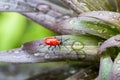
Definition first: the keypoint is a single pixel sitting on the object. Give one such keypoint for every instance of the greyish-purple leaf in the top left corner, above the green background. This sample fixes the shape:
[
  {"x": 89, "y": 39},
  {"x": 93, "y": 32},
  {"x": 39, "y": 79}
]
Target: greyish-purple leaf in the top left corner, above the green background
[{"x": 16, "y": 5}]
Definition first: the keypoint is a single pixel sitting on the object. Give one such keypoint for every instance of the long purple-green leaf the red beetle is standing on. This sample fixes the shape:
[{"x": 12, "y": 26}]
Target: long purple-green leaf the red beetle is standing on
[{"x": 82, "y": 47}]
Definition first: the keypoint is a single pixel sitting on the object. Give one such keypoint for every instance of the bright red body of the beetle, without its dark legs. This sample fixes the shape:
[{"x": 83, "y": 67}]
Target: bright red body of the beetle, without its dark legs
[{"x": 52, "y": 41}]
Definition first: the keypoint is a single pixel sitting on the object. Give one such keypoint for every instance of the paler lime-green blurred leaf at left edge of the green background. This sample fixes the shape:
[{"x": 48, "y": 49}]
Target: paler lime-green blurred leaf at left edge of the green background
[{"x": 12, "y": 29}]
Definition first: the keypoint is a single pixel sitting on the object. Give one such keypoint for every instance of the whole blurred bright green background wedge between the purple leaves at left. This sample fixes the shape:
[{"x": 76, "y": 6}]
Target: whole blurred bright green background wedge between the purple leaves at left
[{"x": 16, "y": 29}]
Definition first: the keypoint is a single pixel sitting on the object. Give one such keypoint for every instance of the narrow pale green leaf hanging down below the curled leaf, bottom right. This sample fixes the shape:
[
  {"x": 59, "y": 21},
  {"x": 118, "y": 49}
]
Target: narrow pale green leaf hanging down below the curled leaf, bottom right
[{"x": 106, "y": 64}]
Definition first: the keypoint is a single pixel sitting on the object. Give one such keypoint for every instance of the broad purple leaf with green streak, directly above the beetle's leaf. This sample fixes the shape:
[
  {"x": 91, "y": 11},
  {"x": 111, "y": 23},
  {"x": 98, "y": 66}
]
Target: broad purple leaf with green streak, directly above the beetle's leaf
[{"x": 89, "y": 25}]
